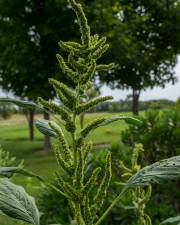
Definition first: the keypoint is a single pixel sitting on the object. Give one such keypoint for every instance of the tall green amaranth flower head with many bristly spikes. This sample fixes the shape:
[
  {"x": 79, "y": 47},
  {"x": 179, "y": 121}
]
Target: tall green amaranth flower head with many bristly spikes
[{"x": 80, "y": 66}]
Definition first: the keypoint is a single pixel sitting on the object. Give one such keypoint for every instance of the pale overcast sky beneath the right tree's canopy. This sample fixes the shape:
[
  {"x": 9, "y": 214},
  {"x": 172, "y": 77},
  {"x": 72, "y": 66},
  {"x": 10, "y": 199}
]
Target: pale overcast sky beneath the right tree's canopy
[{"x": 171, "y": 92}]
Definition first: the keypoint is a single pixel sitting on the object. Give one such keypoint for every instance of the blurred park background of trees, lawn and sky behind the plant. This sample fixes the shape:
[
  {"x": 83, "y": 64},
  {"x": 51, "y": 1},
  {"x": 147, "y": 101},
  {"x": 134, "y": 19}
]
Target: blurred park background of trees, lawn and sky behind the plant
[{"x": 144, "y": 38}]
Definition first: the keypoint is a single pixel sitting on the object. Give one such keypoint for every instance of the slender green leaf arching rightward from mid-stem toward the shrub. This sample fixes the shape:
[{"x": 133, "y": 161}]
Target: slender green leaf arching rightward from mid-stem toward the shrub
[{"x": 127, "y": 119}]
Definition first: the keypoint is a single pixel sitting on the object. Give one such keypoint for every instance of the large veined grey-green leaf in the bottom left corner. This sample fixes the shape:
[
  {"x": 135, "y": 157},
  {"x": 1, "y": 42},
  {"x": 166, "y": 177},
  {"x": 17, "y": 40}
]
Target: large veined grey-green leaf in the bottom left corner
[{"x": 16, "y": 203}]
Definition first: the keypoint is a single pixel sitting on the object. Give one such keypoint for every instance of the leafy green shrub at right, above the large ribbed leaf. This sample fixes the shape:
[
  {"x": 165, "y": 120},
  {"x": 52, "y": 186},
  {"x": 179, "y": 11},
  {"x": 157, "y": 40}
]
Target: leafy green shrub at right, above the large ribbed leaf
[{"x": 159, "y": 133}]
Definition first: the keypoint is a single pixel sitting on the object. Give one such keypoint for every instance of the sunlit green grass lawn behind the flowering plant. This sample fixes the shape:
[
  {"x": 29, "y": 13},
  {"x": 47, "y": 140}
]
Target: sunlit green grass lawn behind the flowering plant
[{"x": 14, "y": 138}]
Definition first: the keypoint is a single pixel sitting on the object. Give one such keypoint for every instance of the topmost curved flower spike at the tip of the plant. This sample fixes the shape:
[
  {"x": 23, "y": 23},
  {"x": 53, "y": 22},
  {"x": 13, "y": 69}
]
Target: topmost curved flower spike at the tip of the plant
[{"x": 84, "y": 27}]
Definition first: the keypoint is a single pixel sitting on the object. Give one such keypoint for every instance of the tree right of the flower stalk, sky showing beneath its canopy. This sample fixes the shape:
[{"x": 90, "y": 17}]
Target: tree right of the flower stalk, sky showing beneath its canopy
[{"x": 145, "y": 41}]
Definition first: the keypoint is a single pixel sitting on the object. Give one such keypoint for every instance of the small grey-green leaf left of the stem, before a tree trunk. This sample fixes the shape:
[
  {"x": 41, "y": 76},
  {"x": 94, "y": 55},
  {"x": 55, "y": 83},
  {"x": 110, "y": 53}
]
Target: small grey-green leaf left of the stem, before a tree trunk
[{"x": 43, "y": 127}]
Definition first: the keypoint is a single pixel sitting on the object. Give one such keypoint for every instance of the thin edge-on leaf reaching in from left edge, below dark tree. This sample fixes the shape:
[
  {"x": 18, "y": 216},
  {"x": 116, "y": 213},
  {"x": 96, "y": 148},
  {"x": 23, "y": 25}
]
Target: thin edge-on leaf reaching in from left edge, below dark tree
[{"x": 20, "y": 103}]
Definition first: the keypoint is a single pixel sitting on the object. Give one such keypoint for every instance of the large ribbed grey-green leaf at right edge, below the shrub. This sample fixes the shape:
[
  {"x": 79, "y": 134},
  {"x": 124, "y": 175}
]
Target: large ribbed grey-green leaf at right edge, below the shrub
[{"x": 167, "y": 169}]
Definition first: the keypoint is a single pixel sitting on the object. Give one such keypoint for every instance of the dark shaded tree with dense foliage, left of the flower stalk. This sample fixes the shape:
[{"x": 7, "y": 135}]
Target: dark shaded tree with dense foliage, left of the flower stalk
[{"x": 29, "y": 32}]
